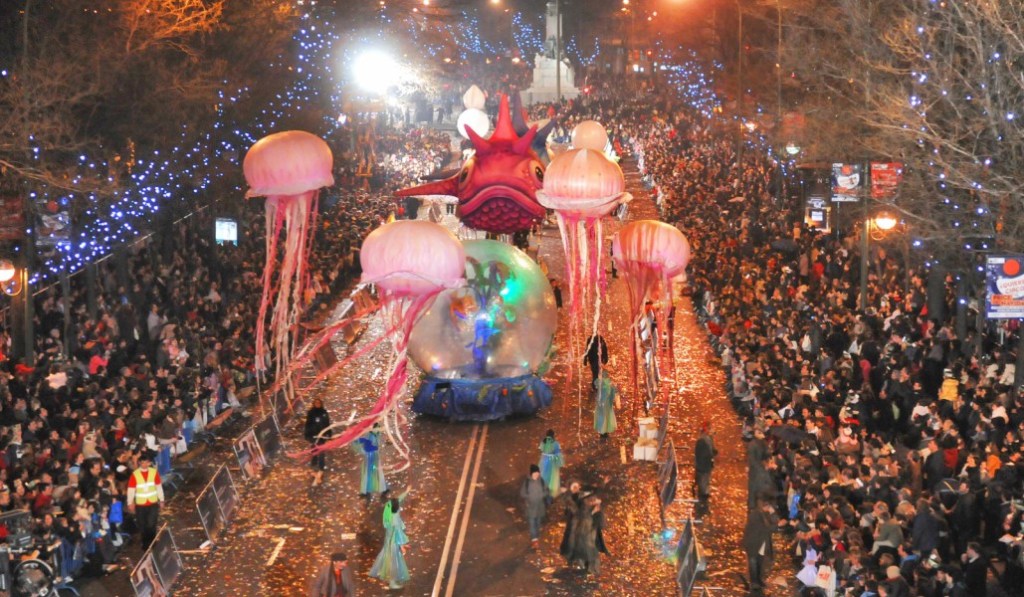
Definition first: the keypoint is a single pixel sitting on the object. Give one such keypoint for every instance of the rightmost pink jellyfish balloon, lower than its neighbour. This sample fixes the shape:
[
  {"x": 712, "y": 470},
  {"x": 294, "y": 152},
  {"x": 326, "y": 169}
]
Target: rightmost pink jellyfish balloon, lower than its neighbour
[{"x": 650, "y": 253}]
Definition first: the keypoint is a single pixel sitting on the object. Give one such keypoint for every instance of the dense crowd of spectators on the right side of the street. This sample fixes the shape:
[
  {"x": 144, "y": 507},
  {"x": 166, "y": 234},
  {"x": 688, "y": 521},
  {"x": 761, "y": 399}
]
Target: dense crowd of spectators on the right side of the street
[{"x": 886, "y": 452}]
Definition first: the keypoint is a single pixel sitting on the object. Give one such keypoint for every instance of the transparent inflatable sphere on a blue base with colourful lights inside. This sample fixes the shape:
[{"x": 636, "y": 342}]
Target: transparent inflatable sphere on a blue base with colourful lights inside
[{"x": 481, "y": 346}]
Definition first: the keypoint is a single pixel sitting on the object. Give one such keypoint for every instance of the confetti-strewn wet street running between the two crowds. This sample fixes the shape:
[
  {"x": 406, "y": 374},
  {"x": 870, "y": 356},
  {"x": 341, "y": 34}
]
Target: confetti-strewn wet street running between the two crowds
[{"x": 464, "y": 519}]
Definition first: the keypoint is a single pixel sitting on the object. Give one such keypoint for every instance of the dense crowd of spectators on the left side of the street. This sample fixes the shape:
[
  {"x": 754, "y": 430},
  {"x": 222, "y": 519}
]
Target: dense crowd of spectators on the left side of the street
[{"x": 167, "y": 346}]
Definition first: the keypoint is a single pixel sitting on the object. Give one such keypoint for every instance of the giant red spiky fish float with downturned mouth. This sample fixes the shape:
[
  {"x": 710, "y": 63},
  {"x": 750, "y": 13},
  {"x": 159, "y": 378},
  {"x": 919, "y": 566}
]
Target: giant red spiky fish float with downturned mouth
[{"x": 497, "y": 187}]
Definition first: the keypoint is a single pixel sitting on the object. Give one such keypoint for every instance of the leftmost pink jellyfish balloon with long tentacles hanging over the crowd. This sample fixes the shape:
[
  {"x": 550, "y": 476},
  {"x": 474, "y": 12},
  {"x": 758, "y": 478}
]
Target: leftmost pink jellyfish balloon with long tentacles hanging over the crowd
[{"x": 288, "y": 168}]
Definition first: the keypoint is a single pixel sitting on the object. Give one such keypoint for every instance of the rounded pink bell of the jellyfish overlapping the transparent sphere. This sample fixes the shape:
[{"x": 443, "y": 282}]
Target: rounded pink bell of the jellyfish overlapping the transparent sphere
[{"x": 412, "y": 258}]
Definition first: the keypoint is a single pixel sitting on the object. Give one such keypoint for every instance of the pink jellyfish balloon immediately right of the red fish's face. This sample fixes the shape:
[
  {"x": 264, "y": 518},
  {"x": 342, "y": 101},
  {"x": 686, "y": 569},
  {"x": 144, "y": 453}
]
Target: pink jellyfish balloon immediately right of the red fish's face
[{"x": 583, "y": 187}]
